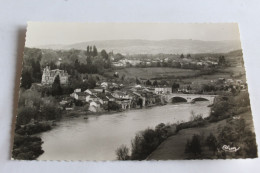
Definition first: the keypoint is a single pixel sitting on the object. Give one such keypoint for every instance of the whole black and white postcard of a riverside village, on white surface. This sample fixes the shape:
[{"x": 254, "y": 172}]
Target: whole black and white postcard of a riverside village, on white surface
[{"x": 133, "y": 91}]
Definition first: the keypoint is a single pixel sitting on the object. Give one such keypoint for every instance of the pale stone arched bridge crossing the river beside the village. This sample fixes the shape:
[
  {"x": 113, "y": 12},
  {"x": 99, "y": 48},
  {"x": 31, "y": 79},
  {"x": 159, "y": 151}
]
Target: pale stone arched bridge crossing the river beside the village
[{"x": 189, "y": 98}]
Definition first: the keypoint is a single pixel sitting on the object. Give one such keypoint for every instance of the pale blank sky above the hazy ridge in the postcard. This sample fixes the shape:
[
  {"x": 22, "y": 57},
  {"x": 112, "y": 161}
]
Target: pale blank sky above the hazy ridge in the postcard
[{"x": 40, "y": 34}]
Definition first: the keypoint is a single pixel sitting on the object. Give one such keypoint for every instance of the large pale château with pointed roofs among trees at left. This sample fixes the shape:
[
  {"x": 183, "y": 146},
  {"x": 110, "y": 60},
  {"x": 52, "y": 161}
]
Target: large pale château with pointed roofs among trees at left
[{"x": 48, "y": 76}]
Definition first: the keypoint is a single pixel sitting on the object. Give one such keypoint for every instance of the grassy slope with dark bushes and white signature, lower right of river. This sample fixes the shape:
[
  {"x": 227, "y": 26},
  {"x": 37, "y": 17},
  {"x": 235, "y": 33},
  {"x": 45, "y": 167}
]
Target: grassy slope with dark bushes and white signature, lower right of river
[{"x": 230, "y": 124}]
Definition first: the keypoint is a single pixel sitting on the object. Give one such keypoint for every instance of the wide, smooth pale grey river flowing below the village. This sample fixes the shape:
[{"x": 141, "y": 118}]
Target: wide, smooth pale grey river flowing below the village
[{"x": 98, "y": 137}]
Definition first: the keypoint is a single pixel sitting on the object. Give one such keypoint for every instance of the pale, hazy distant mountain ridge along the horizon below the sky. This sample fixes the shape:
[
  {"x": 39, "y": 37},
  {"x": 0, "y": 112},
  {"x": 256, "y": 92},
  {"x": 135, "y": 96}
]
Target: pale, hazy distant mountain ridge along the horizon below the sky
[{"x": 172, "y": 46}]
